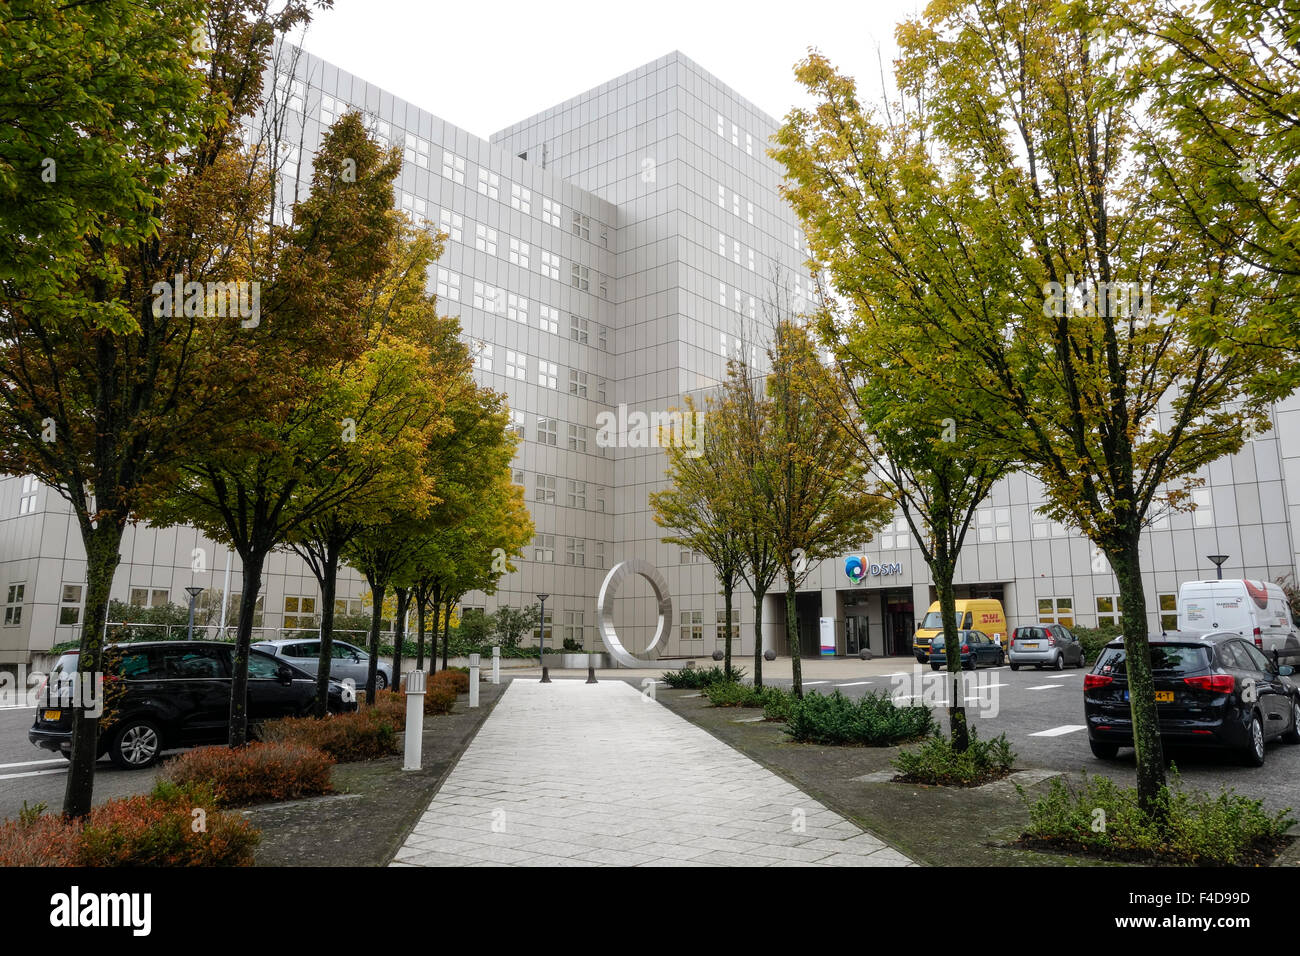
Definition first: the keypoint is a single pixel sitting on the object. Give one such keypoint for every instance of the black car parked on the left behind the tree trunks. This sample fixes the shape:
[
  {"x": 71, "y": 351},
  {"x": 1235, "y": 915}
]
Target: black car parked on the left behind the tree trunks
[{"x": 163, "y": 695}]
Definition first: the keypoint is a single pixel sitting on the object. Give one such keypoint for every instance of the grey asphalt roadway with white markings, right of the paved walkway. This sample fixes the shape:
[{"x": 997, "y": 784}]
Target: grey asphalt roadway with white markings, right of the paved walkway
[{"x": 1042, "y": 715}]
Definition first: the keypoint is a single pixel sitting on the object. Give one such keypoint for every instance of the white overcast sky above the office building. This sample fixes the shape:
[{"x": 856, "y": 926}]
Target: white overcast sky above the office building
[{"x": 486, "y": 66}]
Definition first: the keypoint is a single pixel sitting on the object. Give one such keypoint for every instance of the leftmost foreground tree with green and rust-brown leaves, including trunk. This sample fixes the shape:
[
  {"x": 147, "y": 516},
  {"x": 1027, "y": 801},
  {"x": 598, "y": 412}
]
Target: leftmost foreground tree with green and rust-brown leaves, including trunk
[{"x": 123, "y": 167}]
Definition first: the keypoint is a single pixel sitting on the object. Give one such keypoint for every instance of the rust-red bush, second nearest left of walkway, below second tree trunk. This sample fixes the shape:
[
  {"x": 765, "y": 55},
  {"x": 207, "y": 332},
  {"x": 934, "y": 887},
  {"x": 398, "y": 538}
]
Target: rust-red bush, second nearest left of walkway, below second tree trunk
[{"x": 253, "y": 775}]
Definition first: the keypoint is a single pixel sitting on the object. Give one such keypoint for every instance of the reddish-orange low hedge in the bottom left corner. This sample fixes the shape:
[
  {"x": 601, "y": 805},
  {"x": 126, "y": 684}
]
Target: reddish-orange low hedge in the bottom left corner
[{"x": 163, "y": 829}]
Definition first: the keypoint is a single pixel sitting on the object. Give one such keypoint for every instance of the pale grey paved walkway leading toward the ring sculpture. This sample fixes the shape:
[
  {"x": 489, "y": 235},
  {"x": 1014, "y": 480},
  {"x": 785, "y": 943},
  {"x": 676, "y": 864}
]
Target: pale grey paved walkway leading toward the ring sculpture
[{"x": 575, "y": 775}]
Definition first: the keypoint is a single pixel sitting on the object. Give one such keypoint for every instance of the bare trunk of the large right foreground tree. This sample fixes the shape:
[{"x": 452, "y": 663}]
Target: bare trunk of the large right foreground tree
[{"x": 1142, "y": 689}]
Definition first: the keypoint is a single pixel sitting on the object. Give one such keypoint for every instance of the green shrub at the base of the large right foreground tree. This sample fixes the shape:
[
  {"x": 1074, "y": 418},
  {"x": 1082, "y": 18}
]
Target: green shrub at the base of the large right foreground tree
[{"x": 1191, "y": 829}]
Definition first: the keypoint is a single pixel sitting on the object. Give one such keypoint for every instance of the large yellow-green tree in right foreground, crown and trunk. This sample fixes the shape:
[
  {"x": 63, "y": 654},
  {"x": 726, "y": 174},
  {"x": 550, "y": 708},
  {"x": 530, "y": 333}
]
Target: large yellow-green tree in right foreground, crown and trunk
[{"x": 1008, "y": 215}]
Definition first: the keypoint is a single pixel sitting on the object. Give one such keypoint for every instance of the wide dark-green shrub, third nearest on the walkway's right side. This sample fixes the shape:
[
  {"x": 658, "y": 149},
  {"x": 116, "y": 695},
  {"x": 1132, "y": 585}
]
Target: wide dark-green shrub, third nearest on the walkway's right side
[{"x": 873, "y": 720}]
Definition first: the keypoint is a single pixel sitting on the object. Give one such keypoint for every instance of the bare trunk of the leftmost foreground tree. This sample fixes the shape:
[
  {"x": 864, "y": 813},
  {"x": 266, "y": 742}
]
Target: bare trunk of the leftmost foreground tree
[{"x": 103, "y": 556}]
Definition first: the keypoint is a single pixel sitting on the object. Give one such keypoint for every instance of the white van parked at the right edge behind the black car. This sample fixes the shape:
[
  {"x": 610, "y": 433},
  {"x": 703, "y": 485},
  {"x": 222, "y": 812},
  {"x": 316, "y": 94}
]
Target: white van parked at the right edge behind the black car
[{"x": 1258, "y": 611}]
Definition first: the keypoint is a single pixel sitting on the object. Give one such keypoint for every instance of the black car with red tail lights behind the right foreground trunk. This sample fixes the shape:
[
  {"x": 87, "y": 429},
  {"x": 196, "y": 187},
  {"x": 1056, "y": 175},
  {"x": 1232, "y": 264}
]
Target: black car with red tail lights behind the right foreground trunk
[{"x": 1212, "y": 690}]
